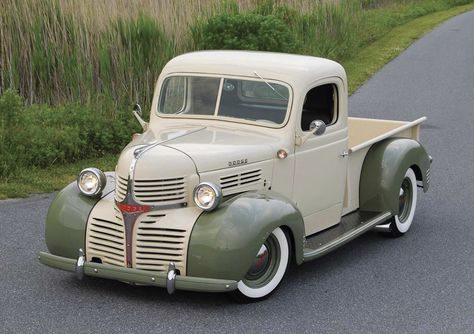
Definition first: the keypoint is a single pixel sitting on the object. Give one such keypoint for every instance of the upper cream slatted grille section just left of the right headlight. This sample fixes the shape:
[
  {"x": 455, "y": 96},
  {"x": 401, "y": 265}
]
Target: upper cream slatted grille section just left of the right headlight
[{"x": 161, "y": 192}]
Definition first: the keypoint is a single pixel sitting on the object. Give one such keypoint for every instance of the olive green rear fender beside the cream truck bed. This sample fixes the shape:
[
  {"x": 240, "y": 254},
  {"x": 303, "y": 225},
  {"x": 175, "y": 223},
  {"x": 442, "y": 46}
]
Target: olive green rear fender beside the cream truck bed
[{"x": 383, "y": 171}]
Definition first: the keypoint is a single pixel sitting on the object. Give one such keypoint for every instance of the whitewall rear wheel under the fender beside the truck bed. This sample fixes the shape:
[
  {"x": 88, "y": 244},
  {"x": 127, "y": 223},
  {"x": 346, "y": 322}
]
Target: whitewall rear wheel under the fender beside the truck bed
[{"x": 401, "y": 223}]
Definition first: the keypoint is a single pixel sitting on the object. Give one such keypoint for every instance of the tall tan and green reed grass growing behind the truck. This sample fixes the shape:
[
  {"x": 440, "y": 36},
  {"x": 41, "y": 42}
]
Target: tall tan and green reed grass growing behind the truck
[{"x": 111, "y": 52}]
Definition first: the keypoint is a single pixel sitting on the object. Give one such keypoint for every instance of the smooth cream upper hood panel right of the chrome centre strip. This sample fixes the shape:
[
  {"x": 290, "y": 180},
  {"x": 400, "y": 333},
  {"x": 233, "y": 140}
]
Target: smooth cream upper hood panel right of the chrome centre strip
[{"x": 214, "y": 148}]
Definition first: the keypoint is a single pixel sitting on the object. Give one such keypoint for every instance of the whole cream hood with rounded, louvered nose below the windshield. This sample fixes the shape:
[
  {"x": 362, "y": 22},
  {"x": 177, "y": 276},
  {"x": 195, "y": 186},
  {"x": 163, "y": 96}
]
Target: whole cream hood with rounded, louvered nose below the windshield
[{"x": 166, "y": 166}]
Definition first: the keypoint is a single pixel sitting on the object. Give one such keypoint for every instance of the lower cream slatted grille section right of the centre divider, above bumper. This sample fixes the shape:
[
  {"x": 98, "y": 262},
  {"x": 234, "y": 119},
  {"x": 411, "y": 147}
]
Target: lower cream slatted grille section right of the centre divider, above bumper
[{"x": 157, "y": 244}]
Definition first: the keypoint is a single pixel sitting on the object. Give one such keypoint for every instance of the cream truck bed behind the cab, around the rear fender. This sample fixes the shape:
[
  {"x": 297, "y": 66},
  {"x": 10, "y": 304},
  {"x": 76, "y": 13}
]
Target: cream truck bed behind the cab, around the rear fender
[{"x": 363, "y": 133}]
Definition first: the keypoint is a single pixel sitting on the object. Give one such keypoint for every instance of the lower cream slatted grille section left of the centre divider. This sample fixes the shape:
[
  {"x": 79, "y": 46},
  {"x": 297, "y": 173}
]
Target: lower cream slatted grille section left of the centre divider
[{"x": 106, "y": 240}]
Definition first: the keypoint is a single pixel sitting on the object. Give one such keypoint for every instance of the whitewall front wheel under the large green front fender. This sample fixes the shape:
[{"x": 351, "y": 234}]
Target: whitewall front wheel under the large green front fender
[{"x": 267, "y": 270}]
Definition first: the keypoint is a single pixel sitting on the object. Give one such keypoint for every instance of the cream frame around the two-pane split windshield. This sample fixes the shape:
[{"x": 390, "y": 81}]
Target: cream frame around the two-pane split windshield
[{"x": 215, "y": 116}]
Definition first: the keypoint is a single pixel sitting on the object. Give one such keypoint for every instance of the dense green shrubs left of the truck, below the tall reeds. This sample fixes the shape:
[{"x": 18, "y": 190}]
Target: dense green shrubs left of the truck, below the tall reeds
[{"x": 42, "y": 136}]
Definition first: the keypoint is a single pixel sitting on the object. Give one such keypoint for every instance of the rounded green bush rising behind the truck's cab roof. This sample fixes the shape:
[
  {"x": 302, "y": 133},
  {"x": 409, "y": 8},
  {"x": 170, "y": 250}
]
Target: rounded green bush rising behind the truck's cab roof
[{"x": 247, "y": 31}]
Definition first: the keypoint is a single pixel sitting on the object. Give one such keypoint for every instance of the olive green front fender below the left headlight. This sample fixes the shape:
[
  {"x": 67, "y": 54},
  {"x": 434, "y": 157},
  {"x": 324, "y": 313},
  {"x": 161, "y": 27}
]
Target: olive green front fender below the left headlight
[{"x": 67, "y": 219}]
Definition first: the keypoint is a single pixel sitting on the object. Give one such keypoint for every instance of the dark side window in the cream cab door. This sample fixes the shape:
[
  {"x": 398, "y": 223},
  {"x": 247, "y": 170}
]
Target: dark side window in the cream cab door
[{"x": 320, "y": 104}]
